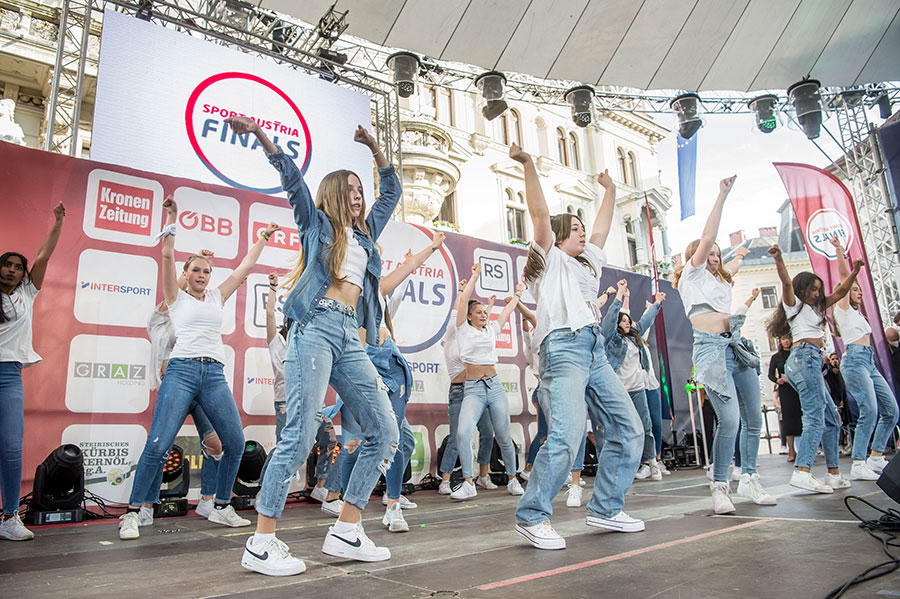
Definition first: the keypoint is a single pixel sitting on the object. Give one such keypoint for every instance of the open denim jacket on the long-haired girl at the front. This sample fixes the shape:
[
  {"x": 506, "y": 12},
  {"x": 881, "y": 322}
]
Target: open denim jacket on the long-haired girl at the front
[{"x": 316, "y": 233}]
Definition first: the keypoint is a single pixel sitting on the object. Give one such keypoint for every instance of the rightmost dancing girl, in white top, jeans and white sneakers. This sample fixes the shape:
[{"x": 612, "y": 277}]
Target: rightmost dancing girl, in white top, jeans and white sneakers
[{"x": 872, "y": 393}]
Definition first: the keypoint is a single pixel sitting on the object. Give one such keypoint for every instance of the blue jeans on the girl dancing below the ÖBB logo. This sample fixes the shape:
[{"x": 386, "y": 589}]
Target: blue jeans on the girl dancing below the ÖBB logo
[{"x": 187, "y": 381}]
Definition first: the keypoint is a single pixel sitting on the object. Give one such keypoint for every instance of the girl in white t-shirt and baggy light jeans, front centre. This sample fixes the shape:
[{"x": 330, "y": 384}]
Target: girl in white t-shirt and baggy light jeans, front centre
[{"x": 563, "y": 272}]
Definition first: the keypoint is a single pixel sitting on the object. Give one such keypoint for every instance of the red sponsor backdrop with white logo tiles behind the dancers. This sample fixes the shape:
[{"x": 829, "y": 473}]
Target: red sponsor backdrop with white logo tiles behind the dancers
[{"x": 92, "y": 387}]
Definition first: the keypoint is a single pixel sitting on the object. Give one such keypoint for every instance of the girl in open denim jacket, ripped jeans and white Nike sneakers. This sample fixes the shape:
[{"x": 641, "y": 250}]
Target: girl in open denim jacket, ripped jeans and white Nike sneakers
[{"x": 334, "y": 292}]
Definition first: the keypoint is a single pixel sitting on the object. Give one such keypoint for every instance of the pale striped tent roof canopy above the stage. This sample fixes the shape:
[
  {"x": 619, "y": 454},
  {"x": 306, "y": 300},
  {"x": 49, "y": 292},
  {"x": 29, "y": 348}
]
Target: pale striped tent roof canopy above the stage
[{"x": 736, "y": 45}]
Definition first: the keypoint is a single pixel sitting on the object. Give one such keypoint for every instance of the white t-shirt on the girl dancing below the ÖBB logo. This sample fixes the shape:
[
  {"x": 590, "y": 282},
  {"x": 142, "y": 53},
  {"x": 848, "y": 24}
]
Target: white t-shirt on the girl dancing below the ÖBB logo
[{"x": 198, "y": 326}]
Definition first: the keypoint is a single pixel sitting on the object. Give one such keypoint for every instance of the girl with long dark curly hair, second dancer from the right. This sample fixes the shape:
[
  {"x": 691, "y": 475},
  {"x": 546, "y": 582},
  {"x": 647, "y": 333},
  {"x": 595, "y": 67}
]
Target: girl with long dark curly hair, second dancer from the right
[{"x": 802, "y": 316}]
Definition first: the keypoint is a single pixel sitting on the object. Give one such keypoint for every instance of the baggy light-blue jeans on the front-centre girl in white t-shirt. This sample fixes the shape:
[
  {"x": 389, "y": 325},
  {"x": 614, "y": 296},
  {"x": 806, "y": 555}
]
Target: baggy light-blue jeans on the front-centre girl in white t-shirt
[{"x": 575, "y": 370}]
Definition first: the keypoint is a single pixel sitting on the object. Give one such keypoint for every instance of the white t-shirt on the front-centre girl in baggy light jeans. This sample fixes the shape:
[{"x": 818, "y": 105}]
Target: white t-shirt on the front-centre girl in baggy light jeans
[{"x": 566, "y": 292}]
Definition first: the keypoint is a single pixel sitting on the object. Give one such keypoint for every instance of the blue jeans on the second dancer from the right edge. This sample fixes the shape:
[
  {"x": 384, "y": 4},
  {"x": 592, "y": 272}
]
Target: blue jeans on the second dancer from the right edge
[{"x": 821, "y": 423}]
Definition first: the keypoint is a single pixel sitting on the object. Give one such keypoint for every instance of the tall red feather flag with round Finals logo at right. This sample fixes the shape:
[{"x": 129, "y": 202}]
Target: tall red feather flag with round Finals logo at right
[{"x": 825, "y": 209}]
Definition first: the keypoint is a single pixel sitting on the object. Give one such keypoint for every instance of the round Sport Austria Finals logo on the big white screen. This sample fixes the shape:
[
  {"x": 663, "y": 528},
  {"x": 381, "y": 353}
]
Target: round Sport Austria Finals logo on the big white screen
[{"x": 224, "y": 152}]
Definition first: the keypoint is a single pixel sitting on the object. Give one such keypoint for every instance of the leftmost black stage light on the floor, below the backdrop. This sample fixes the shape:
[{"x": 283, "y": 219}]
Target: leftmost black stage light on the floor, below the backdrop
[{"x": 59, "y": 487}]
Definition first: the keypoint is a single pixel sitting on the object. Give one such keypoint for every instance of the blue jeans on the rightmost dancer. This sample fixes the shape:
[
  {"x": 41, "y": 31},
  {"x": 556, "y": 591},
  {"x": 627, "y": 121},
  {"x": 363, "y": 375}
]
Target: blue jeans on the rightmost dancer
[{"x": 874, "y": 397}]
